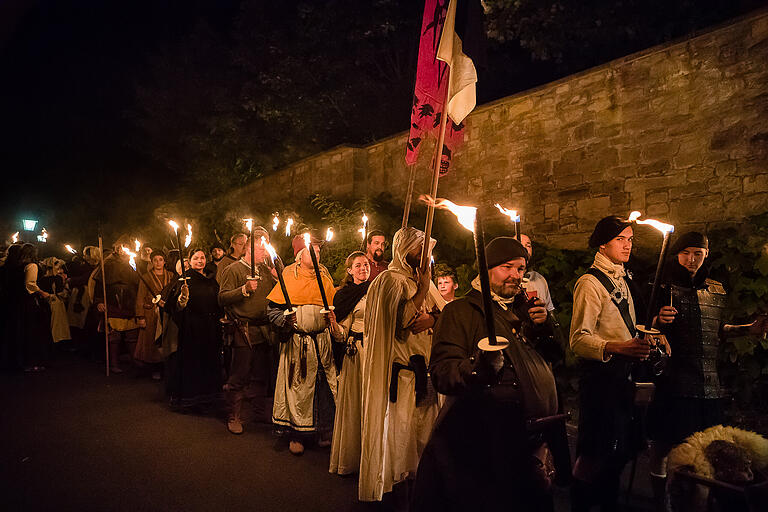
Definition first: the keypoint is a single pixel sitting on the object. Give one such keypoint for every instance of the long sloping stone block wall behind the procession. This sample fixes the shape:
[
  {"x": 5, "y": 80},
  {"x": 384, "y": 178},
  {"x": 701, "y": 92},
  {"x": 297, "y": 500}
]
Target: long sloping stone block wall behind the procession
[{"x": 679, "y": 132}]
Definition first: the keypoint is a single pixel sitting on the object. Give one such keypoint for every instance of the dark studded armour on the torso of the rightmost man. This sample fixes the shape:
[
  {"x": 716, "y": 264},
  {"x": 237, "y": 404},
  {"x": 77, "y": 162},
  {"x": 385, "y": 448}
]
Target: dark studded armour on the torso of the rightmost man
[{"x": 695, "y": 338}]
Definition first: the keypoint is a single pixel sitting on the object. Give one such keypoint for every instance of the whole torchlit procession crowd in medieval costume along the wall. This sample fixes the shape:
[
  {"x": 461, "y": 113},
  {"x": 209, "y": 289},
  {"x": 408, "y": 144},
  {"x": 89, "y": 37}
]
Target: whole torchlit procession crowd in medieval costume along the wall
[{"x": 385, "y": 367}]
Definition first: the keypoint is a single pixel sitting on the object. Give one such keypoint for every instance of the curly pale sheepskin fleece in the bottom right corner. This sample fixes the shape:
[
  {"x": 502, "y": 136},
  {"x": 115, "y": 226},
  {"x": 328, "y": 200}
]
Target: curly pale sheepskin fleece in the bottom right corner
[{"x": 691, "y": 452}]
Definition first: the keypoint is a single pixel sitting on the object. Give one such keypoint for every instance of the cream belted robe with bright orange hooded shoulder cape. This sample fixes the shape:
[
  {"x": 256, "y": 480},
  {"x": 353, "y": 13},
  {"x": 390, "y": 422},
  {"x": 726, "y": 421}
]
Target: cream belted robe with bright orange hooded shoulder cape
[{"x": 305, "y": 390}]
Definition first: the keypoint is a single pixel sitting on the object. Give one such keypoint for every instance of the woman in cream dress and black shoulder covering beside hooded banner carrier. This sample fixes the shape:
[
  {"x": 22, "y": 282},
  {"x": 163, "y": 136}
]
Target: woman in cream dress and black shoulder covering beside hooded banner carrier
[{"x": 349, "y": 303}]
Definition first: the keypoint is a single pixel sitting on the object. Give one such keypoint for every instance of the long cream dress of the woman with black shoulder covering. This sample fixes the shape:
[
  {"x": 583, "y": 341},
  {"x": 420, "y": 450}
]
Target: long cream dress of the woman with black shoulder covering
[{"x": 347, "y": 426}]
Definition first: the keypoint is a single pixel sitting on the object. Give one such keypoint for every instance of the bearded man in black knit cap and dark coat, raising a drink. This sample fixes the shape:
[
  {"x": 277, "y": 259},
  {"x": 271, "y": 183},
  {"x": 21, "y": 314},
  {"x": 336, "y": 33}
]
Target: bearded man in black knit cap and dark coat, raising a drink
[{"x": 481, "y": 455}]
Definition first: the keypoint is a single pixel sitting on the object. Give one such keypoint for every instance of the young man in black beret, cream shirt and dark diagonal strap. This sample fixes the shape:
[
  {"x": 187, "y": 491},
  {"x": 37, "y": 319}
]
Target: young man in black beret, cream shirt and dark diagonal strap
[{"x": 606, "y": 307}]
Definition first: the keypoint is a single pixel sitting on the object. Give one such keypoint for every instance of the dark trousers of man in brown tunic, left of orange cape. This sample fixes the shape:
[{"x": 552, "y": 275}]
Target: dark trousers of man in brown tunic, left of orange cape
[{"x": 249, "y": 376}]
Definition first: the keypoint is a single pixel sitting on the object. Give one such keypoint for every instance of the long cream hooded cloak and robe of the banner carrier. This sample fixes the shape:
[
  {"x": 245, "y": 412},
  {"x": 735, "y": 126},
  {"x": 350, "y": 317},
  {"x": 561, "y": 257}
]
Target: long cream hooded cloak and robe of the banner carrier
[{"x": 394, "y": 432}]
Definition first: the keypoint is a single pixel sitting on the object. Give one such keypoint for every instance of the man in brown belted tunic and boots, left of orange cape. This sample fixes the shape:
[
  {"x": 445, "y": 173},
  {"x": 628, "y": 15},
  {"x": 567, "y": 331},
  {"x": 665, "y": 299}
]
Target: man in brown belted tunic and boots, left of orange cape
[{"x": 244, "y": 298}]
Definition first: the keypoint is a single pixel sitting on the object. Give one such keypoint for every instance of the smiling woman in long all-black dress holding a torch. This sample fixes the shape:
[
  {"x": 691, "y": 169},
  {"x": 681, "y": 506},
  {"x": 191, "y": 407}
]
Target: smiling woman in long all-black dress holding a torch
[{"x": 194, "y": 369}]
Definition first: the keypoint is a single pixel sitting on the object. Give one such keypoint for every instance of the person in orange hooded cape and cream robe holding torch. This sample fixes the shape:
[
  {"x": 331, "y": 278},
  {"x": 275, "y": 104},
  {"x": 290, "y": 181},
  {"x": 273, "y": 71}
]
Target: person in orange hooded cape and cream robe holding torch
[{"x": 305, "y": 391}]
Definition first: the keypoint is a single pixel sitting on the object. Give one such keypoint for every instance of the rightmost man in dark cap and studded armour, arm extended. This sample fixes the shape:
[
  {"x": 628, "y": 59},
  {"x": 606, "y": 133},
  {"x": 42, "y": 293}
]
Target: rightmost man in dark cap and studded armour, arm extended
[{"x": 688, "y": 396}]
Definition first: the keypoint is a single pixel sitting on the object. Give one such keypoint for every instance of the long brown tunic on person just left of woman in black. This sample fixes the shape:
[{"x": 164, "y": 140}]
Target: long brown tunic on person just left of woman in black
[{"x": 146, "y": 349}]
